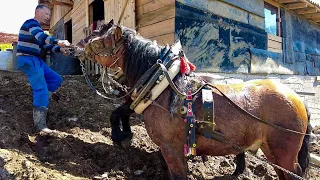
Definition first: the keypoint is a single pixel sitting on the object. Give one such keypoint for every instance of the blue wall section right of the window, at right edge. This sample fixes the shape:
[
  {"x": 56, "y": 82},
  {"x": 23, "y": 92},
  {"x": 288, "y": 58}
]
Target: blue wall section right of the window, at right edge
[{"x": 302, "y": 44}]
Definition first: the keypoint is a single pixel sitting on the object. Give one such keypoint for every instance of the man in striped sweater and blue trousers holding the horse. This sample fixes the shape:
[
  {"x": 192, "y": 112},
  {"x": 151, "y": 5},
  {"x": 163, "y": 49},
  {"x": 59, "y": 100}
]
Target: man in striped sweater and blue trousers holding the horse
[{"x": 43, "y": 80}]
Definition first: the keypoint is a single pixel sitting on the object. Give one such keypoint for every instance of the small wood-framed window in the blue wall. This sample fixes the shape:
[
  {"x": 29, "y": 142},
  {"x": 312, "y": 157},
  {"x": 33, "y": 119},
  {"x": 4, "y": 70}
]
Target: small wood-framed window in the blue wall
[{"x": 272, "y": 19}]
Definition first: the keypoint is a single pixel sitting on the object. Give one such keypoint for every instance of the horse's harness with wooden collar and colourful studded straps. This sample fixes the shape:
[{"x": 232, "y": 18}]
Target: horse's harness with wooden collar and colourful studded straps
[{"x": 158, "y": 78}]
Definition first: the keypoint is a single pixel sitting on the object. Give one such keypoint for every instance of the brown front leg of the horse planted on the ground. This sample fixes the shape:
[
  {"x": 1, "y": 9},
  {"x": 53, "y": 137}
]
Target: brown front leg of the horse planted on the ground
[{"x": 175, "y": 161}]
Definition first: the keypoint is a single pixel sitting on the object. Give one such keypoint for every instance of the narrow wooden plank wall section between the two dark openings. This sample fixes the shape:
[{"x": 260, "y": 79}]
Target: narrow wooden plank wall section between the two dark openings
[{"x": 78, "y": 21}]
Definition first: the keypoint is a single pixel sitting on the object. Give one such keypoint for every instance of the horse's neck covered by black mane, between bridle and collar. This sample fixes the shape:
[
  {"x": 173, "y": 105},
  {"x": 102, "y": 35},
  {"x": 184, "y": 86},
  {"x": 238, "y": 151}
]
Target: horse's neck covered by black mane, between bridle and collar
[{"x": 140, "y": 55}]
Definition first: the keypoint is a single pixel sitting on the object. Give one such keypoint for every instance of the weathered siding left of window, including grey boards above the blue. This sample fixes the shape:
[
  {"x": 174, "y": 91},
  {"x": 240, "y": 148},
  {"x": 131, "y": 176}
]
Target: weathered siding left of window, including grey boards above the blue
[{"x": 217, "y": 36}]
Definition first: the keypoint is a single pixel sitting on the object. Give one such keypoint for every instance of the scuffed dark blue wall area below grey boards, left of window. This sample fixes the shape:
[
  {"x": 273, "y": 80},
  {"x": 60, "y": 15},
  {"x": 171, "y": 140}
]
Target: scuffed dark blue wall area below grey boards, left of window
[{"x": 214, "y": 43}]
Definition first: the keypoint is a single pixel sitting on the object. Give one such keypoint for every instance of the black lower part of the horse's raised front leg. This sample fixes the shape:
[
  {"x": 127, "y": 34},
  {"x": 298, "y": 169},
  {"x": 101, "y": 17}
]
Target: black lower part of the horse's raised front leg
[{"x": 122, "y": 113}]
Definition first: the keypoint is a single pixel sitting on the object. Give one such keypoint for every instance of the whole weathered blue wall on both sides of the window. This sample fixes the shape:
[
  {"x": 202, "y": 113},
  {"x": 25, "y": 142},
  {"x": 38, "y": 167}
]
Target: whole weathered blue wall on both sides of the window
[{"x": 219, "y": 44}]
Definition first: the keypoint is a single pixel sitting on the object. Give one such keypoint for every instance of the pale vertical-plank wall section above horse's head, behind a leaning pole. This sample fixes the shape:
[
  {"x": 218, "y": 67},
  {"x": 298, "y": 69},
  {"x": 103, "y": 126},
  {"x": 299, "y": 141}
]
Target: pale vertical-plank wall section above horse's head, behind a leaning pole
[{"x": 113, "y": 9}]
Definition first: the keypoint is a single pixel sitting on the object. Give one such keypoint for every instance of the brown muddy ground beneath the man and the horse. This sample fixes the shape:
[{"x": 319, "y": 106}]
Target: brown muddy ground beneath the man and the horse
[{"x": 83, "y": 149}]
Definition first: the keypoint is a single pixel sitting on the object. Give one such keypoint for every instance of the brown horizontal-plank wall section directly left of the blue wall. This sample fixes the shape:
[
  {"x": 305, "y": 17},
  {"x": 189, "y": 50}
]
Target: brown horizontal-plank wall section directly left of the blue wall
[{"x": 156, "y": 20}]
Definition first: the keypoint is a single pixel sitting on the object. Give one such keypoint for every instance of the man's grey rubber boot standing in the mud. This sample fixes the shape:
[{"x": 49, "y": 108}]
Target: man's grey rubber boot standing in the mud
[{"x": 40, "y": 118}]
